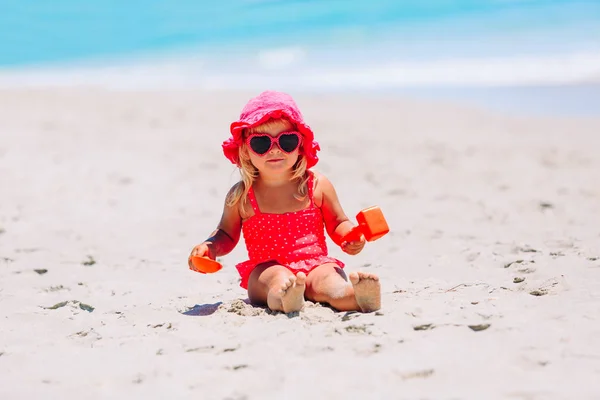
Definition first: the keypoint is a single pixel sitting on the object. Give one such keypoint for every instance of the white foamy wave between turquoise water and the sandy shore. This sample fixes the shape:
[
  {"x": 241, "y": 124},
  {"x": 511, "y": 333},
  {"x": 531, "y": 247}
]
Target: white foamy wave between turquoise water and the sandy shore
[{"x": 295, "y": 68}]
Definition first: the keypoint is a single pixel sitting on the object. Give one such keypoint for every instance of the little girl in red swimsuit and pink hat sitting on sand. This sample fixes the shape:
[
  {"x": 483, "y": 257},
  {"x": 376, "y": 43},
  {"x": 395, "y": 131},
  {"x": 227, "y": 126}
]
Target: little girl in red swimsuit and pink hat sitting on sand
[{"x": 283, "y": 208}]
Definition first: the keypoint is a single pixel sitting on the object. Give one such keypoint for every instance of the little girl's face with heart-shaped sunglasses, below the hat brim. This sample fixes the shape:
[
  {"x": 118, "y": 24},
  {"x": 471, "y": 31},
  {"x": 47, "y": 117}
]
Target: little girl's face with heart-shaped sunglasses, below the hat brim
[{"x": 275, "y": 160}]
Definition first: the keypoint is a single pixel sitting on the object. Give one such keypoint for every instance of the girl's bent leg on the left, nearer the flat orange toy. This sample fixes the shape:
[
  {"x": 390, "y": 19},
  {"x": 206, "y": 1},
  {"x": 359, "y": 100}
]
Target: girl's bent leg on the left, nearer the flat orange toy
[{"x": 277, "y": 287}]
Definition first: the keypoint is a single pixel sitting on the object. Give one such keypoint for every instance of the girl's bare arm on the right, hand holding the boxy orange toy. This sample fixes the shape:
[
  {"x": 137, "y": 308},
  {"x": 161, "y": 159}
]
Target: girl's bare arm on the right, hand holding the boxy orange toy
[{"x": 337, "y": 223}]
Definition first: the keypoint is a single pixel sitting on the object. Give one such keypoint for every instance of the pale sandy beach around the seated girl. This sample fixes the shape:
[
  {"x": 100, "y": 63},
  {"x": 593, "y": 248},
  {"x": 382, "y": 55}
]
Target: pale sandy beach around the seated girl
[{"x": 490, "y": 273}]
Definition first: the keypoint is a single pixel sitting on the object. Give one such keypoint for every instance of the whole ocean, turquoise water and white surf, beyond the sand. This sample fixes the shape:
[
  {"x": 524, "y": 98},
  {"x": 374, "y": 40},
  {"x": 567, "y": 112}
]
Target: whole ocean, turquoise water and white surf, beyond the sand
[{"x": 464, "y": 48}]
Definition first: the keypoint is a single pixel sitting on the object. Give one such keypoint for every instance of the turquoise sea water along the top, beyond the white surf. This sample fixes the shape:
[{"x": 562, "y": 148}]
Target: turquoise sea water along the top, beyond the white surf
[{"x": 64, "y": 30}]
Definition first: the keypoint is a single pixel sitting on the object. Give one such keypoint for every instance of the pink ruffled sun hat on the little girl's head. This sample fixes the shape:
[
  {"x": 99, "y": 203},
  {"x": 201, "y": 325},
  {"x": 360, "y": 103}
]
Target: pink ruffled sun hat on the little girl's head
[{"x": 271, "y": 105}]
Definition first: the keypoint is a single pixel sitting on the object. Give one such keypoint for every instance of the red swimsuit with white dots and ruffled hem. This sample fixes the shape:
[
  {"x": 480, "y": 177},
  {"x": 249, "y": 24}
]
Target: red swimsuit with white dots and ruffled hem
[{"x": 295, "y": 240}]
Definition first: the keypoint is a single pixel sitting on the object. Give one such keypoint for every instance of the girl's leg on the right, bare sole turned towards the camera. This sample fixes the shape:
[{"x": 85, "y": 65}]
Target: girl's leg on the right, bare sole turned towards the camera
[{"x": 328, "y": 284}]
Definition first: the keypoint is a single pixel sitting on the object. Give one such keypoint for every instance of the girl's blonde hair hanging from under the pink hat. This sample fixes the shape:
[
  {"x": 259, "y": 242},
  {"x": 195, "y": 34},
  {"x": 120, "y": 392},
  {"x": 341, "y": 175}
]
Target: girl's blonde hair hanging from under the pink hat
[{"x": 249, "y": 172}]
